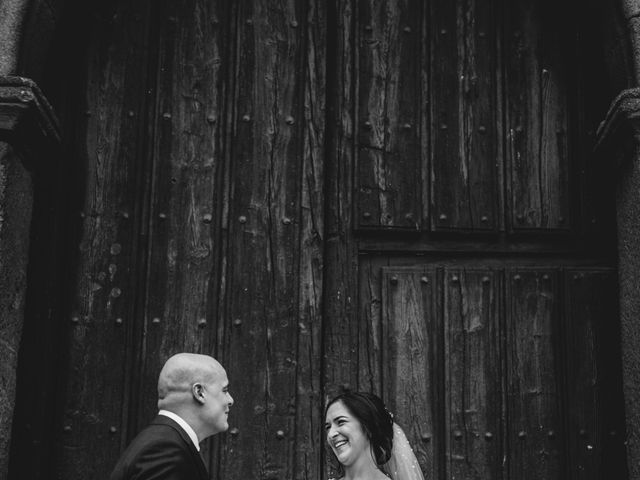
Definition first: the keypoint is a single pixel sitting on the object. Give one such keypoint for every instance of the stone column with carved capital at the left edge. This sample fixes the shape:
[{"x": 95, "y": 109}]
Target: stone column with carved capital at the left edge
[{"x": 29, "y": 135}]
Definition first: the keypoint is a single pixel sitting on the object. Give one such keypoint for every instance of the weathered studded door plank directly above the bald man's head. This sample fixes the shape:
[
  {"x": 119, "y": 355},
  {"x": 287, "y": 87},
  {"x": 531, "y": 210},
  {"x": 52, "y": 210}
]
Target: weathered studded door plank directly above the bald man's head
[{"x": 184, "y": 275}]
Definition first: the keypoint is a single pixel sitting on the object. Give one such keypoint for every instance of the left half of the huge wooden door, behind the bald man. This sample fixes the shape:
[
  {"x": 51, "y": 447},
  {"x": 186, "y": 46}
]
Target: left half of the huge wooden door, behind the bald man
[{"x": 196, "y": 139}]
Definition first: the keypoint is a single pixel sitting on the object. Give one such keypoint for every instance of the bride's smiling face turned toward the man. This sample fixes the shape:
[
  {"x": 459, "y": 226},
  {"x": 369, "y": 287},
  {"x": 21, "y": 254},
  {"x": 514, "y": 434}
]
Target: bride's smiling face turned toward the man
[{"x": 345, "y": 435}]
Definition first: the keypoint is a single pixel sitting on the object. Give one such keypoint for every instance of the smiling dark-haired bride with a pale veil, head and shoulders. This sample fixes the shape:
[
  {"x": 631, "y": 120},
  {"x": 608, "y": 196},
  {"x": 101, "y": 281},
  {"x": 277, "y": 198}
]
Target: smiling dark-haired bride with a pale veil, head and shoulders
[{"x": 365, "y": 442}]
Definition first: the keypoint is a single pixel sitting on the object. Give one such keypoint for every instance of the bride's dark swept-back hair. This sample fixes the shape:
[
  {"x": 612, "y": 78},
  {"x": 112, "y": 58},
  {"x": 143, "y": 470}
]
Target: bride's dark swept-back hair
[{"x": 376, "y": 421}]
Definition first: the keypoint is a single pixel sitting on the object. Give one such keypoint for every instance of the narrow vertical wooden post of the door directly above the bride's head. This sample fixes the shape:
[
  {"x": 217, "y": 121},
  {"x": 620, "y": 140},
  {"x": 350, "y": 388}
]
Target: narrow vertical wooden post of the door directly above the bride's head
[{"x": 340, "y": 365}]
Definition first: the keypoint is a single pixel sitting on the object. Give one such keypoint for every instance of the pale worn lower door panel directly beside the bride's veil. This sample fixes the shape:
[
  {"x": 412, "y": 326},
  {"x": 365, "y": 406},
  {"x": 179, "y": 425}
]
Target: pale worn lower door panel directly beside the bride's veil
[{"x": 411, "y": 345}]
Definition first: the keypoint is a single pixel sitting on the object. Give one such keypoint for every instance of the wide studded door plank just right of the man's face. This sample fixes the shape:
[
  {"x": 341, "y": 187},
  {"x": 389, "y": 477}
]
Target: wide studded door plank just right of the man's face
[{"x": 261, "y": 280}]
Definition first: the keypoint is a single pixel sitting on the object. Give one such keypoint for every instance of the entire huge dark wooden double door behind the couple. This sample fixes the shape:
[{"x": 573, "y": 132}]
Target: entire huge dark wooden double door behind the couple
[{"x": 388, "y": 195}]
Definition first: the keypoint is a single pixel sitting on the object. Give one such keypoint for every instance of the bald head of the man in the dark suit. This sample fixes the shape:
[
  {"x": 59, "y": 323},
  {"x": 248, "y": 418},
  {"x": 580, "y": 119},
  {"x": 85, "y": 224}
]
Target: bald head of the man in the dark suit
[{"x": 196, "y": 388}]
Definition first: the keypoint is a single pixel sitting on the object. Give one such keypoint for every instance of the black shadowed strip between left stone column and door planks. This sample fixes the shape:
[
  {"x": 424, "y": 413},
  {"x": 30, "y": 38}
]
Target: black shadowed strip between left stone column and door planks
[{"x": 53, "y": 55}]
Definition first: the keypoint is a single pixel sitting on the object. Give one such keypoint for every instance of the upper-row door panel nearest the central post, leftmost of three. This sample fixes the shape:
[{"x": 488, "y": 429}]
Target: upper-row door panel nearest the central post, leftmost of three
[{"x": 390, "y": 107}]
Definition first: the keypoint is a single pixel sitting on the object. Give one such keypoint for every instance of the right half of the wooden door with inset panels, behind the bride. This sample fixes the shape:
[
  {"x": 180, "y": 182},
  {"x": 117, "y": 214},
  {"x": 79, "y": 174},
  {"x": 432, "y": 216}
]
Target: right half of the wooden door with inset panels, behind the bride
[{"x": 481, "y": 230}]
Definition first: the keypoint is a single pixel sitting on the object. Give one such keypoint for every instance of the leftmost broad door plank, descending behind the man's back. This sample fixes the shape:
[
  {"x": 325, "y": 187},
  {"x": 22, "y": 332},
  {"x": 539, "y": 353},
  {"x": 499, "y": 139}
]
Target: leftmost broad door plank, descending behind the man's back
[{"x": 102, "y": 321}]
